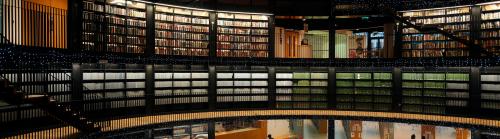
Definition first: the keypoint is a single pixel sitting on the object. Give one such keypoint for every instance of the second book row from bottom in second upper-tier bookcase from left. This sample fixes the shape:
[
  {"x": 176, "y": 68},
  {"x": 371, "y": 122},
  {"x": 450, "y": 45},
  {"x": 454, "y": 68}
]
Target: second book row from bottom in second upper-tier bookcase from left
[{"x": 181, "y": 43}]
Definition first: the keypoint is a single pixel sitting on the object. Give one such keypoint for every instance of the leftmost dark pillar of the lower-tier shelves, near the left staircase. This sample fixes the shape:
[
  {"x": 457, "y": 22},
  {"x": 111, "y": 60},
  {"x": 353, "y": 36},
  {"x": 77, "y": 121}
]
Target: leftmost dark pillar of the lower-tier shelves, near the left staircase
[{"x": 76, "y": 86}]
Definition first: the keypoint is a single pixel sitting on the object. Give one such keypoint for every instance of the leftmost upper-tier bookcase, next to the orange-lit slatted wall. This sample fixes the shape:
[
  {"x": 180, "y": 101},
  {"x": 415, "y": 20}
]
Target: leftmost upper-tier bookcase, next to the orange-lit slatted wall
[{"x": 114, "y": 26}]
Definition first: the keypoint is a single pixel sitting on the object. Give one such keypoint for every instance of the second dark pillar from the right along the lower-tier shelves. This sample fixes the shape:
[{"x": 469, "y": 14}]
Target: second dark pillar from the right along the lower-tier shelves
[{"x": 396, "y": 90}]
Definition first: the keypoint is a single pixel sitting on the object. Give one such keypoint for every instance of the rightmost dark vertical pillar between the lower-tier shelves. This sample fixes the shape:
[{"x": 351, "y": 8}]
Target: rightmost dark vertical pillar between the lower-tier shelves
[{"x": 475, "y": 91}]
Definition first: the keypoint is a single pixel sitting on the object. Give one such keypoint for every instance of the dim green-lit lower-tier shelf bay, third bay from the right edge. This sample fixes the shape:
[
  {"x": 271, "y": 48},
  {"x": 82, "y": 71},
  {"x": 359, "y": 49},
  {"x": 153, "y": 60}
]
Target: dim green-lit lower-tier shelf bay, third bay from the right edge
[{"x": 364, "y": 90}]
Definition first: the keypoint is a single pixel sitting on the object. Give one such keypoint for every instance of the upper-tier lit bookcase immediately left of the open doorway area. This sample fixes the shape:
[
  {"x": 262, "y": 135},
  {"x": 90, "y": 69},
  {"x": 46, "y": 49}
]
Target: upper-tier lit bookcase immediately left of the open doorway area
[{"x": 242, "y": 35}]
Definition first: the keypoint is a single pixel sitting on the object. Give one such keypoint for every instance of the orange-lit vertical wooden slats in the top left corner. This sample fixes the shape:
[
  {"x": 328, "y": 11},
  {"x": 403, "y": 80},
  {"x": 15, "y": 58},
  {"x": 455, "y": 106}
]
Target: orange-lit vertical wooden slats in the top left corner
[{"x": 31, "y": 24}]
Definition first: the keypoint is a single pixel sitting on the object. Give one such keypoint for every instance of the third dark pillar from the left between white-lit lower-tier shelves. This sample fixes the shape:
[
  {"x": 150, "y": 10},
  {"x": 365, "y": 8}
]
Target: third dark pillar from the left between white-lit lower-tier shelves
[{"x": 212, "y": 88}]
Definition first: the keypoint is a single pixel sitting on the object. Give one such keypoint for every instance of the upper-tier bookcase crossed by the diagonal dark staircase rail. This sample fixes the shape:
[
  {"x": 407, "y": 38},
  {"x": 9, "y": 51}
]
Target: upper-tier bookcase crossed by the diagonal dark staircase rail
[{"x": 455, "y": 20}]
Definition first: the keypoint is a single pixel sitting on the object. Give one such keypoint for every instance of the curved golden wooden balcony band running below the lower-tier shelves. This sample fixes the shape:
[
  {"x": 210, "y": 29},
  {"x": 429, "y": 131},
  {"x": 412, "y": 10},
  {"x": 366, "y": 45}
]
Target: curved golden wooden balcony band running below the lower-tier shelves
[{"x": 112, "y": 125}]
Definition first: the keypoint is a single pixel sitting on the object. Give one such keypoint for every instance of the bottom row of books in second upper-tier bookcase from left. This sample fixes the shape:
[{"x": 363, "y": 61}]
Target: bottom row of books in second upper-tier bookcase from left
[{"x": 181, "y": 51}]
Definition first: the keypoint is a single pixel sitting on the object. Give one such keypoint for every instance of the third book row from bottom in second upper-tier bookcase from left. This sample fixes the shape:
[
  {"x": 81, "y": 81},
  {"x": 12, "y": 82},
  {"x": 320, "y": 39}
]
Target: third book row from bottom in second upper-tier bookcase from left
[{"x": 181, "y": 35}]
